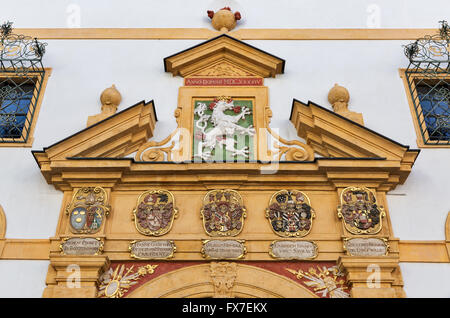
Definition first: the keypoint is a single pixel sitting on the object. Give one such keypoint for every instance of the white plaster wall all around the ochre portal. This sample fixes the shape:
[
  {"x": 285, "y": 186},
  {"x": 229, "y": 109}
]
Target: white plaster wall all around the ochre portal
[{"x": 83, "y": 68}]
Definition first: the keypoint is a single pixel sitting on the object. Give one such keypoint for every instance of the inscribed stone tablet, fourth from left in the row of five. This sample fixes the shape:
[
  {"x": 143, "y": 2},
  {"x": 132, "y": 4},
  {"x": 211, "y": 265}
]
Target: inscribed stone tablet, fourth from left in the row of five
[{"x": 293, "y": 249}]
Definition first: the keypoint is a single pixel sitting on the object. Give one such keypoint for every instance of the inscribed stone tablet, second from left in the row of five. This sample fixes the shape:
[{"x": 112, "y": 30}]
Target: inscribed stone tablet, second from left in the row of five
[{"x": 152, "y": 249}]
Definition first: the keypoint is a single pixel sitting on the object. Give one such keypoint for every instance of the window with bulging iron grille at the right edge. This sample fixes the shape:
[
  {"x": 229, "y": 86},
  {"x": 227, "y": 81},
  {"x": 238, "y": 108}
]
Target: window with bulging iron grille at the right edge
[{"x": 427, "y": 79}]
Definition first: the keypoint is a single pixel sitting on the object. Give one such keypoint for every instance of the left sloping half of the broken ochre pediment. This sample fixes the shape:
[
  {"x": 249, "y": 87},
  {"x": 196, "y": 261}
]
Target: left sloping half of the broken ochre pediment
[{"x": 114, "y": 137}]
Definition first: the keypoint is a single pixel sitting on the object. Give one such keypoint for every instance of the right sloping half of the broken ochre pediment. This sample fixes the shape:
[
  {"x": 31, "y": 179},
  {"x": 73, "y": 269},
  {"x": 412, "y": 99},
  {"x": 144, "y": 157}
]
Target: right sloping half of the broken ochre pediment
[{"x": 334, "y": 136}]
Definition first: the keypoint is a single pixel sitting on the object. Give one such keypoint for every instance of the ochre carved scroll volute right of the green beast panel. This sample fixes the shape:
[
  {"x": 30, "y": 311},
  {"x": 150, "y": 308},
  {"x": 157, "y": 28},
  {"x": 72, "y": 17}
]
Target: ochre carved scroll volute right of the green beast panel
[{"x": 291, "y": 150}]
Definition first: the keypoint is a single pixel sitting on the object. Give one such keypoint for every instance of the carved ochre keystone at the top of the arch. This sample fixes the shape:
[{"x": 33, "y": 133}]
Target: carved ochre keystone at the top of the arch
[{"x": 223, "y": 276}]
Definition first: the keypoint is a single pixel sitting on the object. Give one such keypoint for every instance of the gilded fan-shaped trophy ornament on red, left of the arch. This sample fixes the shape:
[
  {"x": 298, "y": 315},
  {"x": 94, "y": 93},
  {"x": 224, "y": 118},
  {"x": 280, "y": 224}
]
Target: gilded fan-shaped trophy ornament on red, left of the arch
[{"x": 114, "y": 284}]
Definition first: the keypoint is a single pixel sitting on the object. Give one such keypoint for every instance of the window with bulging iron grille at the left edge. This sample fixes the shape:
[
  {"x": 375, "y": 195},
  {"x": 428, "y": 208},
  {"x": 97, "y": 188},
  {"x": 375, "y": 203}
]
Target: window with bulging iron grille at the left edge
[{"x": 21, "y": 78}]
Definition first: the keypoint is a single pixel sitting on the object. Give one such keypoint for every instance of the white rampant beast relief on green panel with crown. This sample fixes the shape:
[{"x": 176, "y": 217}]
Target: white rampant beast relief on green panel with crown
[{"x": 223, "y": 129}]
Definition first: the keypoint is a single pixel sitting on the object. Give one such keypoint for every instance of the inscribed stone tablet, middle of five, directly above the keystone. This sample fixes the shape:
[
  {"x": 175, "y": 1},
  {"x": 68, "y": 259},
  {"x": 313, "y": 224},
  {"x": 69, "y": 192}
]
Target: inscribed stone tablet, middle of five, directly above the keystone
[{"x": 223, "y": 249}]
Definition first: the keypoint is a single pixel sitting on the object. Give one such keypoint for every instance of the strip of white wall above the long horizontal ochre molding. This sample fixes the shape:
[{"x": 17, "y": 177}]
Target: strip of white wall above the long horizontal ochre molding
[{"x": 255, "y": 13}]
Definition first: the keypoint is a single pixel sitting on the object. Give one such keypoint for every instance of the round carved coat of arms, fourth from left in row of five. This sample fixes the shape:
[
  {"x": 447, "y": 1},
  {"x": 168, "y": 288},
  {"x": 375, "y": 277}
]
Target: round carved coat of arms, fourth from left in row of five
[{"x": 290, "y": 213}]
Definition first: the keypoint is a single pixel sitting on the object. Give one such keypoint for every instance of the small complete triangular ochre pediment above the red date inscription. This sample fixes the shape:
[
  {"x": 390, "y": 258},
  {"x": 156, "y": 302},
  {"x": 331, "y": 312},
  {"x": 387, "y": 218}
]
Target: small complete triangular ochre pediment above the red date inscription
[{"x": 224, "y": 54}]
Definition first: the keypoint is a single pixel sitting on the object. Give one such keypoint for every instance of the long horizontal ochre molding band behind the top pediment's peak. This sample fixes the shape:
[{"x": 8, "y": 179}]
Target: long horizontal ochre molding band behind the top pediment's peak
[{"x": 204, "y": 34}]
